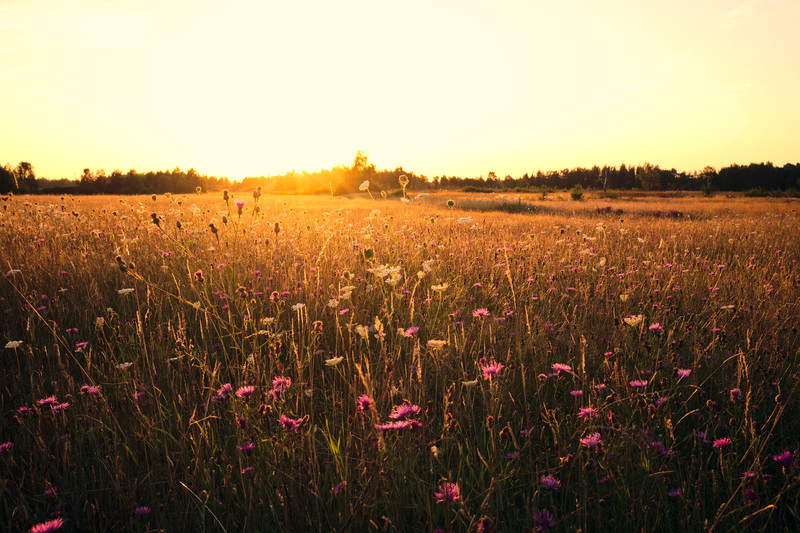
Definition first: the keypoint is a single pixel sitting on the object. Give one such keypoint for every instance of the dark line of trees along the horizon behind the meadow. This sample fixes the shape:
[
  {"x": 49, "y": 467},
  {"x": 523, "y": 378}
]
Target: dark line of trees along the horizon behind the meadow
[{"x": 757, "y": 178}]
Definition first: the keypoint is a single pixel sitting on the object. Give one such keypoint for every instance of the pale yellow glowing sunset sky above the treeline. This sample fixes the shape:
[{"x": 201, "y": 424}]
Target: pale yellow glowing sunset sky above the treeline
[{"x": 250, "y": 88}]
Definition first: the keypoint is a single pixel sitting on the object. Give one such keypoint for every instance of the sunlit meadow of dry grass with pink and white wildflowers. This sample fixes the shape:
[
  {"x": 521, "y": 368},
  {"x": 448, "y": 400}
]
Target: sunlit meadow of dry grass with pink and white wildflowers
[{"x": 452, "y": 362}]
